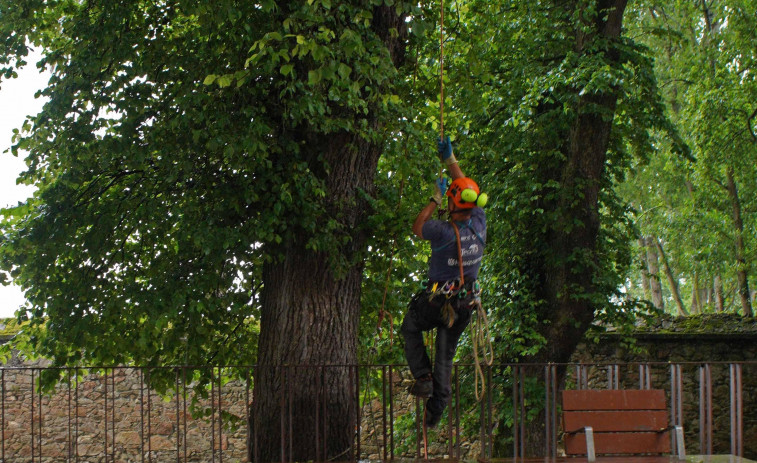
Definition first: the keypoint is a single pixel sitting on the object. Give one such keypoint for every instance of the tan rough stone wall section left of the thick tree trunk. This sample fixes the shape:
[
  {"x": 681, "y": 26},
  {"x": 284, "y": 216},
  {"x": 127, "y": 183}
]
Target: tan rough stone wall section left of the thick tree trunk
[{"x": 117, "y": 416}]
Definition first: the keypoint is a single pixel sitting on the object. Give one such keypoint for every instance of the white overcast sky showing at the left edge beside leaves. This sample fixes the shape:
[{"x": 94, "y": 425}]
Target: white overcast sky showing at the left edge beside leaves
[{"x": 16, "y": 102}]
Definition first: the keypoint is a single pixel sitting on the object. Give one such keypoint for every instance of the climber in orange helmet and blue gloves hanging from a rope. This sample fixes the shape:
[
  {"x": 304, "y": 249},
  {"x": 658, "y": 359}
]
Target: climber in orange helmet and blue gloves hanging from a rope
[{"x": 451, "y": 292}]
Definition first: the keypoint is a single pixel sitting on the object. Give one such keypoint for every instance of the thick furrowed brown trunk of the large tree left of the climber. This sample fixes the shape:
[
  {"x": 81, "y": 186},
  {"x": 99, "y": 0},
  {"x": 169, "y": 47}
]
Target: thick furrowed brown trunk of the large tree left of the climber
[{"x": 305, "y": 397}]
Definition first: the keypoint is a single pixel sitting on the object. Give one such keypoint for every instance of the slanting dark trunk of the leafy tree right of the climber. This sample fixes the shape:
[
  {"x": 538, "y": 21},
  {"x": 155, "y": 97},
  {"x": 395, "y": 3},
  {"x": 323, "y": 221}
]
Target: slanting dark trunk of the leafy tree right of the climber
[{"x": 565, "y": 317}]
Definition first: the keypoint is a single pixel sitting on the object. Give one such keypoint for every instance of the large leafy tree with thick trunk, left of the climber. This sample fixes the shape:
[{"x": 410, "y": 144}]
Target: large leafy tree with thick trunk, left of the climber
[{"x": 202, "y": 166}]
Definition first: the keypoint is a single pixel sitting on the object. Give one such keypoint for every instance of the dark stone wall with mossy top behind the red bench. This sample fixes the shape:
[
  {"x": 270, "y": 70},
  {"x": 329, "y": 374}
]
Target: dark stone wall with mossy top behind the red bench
[{"x": 690, "y": 352}]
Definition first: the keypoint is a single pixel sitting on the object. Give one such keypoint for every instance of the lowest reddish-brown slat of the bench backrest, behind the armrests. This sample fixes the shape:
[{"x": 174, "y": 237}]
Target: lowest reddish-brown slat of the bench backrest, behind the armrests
[{"x": 613, "y": 443}]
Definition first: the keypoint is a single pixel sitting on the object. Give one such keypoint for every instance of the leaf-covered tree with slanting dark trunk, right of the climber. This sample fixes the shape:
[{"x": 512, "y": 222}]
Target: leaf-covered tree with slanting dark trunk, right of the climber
[{"x": 557, "y": 101}]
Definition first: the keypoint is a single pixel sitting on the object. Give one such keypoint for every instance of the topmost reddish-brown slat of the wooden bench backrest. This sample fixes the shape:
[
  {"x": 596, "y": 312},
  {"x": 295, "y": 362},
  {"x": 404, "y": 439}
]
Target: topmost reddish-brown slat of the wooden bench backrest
[{"x": 613, "y": 399}]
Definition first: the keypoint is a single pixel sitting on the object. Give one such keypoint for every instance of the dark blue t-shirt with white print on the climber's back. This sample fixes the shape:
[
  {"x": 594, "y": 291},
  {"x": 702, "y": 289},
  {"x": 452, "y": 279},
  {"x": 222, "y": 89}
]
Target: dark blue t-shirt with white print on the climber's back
[{"x": 443, "y": 265}]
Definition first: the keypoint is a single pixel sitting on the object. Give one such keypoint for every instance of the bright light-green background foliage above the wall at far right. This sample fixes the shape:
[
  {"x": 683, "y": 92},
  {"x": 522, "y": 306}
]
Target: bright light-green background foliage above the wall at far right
[{"x": 704, "y": 59}]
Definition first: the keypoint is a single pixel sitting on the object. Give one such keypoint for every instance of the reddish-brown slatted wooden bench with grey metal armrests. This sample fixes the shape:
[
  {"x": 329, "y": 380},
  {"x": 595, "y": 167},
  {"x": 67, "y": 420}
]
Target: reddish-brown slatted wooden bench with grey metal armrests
[{"x": 618, "y": 422}]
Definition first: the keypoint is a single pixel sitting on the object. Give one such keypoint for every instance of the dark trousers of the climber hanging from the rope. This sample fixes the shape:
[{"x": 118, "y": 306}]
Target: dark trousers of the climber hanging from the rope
[{"x": 424, "y": 315}]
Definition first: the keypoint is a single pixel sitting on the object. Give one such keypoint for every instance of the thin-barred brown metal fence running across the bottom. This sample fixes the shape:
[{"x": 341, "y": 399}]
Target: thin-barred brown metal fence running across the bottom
[{"x": 111, "y": 414}]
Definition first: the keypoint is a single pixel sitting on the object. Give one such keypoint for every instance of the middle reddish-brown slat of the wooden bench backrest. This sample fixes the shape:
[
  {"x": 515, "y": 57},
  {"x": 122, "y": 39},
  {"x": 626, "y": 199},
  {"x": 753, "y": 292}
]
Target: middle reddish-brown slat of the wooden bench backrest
[{"x": 616, "y": 421}]
